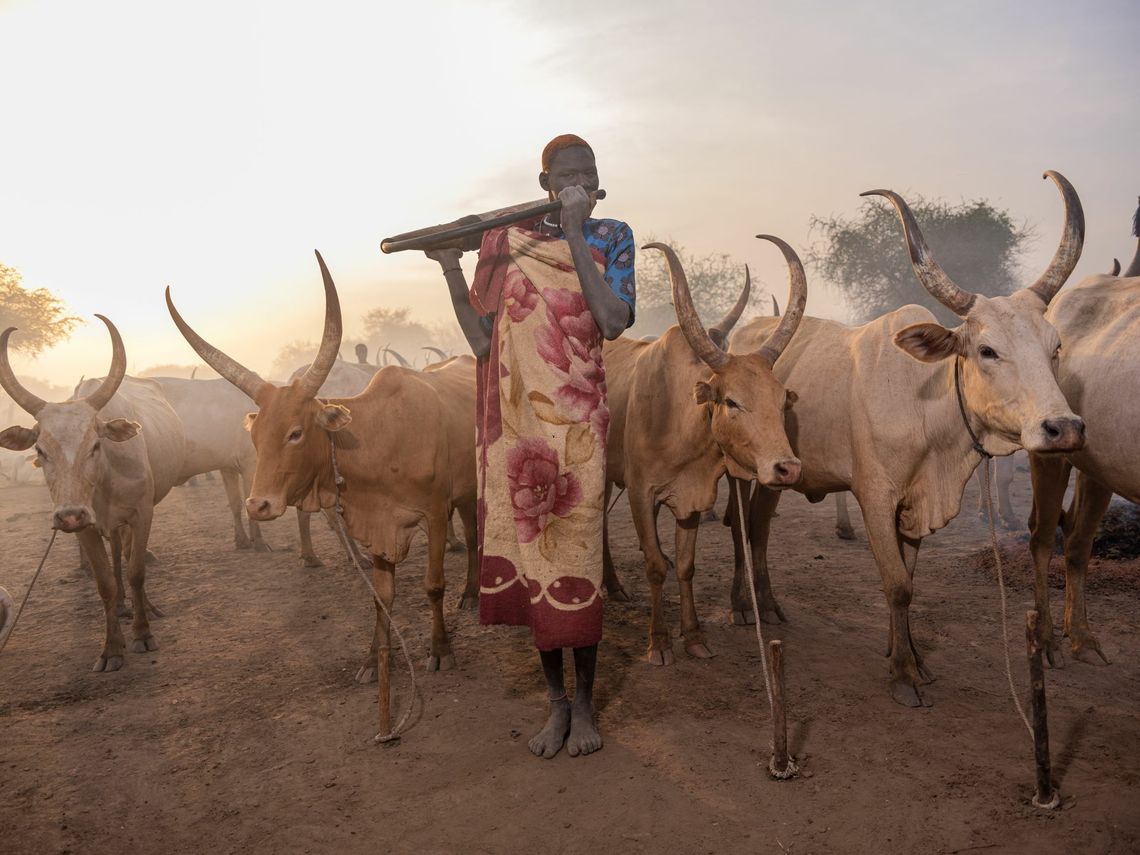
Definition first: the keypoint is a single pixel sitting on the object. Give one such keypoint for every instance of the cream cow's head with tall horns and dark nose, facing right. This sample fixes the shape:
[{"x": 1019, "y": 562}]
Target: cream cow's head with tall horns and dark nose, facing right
[{"x": 1007, "y": 351}]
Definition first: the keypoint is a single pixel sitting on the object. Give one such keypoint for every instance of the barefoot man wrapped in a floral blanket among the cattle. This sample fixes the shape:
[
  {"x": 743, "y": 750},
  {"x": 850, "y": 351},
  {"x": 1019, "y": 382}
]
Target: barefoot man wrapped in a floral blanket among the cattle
[{"x": 547, "y": 294}]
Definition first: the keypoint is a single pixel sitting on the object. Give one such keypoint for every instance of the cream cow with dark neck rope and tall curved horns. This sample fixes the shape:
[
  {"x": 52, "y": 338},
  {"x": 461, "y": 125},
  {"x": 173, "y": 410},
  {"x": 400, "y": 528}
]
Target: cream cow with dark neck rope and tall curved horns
[{"x": 883, "y": 413}]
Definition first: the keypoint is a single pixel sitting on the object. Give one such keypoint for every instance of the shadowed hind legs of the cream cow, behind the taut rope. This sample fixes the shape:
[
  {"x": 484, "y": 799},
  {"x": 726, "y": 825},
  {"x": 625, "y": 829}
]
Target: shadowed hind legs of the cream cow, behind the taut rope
[{"x": 760, "y": 509}]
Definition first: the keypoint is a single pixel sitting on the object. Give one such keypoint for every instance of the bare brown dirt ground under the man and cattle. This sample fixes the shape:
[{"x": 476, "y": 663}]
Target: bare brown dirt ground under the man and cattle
[{"x": 246, "y": 732}]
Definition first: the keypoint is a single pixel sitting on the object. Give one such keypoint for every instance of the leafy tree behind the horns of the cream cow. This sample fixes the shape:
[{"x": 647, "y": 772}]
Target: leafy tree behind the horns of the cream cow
[{"x": 979, "y": 247}]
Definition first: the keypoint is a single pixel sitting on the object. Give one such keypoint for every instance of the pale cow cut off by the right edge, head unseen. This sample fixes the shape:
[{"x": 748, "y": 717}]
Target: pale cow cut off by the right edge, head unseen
[{"x": 1100, "y": 324}]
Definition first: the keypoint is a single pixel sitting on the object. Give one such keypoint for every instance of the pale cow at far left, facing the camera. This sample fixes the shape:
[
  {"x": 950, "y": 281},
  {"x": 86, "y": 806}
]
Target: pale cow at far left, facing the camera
[{"x": 108, "y": 459}]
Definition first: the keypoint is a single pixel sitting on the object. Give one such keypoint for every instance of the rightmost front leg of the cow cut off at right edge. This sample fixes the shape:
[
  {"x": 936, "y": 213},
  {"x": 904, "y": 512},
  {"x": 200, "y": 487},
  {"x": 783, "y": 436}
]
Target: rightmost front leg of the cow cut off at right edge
[{"x": 1090, "y": 501}]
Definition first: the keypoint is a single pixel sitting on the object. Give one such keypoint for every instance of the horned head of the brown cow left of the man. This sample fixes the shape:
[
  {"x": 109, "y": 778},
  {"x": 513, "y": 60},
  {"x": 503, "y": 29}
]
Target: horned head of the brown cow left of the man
[{"x": 291, "y": 429}]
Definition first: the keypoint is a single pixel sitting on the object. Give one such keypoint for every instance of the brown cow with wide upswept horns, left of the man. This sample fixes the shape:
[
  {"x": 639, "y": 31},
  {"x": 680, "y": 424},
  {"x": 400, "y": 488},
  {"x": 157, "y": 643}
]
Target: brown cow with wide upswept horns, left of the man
[{"x": 405, "y": 450}]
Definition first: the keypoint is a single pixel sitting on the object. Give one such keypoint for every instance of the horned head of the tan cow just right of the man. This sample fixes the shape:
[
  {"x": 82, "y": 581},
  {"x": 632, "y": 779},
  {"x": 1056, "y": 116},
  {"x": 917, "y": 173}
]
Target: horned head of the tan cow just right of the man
[{"x": 745, "y": 402}]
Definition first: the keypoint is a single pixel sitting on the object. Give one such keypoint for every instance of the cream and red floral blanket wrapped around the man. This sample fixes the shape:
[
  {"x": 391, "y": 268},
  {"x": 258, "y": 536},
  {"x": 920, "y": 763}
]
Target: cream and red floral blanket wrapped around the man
[{"x": 542, "y": 425}]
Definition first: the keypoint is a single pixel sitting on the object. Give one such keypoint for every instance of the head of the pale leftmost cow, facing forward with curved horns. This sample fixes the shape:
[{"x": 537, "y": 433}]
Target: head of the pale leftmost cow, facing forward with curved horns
[{"x": 69, "y": 437}]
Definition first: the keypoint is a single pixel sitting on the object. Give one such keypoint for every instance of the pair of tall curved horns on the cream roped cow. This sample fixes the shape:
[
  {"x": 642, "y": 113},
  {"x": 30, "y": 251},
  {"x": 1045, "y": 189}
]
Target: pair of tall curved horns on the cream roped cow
[{"x": 960, "y": 303}]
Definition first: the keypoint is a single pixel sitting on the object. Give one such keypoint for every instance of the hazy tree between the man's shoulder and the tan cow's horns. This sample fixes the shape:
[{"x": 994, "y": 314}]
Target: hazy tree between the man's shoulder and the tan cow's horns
[{"x": 715, "y": 282}]
